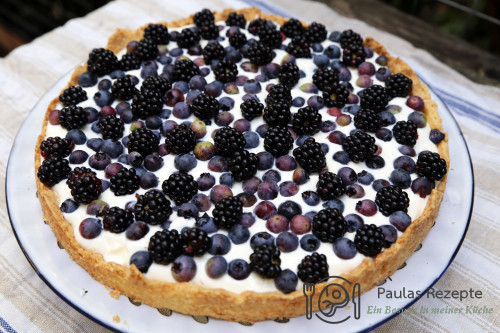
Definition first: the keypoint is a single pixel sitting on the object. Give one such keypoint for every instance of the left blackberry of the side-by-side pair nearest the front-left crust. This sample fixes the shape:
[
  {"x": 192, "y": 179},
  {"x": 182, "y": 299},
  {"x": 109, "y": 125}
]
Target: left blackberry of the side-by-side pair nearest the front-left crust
[{"x": 165, "y": 246}]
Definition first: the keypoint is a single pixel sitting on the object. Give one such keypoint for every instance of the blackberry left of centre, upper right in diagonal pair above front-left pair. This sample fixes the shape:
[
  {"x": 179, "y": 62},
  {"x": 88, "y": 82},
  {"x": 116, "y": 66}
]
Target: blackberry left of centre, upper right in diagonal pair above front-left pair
[{"x": 180, "y": 187}]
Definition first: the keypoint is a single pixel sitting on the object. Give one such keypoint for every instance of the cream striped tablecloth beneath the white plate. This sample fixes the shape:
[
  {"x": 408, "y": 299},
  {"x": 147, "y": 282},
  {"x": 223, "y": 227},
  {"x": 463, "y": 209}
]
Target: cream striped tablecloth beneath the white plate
[{"x": 28, "y": 305}]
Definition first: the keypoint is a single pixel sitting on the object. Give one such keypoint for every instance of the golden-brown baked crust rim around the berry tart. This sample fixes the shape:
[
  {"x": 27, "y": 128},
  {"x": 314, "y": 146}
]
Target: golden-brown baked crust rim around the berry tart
[{"x": 248, "y": 306}]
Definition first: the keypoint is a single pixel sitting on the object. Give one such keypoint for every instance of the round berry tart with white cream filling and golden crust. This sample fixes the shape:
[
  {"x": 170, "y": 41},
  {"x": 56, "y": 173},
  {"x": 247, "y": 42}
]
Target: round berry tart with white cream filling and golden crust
[{"x": 215, "y": 167}]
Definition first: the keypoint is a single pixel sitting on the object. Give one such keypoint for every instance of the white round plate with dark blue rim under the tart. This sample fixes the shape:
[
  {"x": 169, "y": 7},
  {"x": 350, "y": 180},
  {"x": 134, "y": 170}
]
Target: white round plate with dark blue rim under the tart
[{"x": 78, "y": 289}]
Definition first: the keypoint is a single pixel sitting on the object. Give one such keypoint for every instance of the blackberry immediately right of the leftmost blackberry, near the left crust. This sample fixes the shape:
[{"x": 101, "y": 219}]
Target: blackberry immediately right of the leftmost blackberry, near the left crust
[{"x": 84, "y": 185}]
